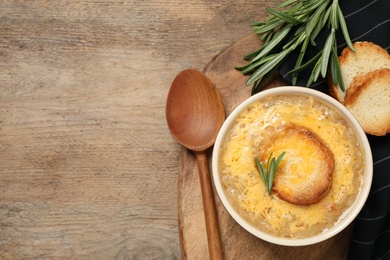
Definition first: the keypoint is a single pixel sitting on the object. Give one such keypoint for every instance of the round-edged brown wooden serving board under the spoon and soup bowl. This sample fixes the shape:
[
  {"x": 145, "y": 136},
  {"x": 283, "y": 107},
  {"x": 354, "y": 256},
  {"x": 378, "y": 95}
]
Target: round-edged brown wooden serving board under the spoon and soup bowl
[{"x": 237, "y": 242}]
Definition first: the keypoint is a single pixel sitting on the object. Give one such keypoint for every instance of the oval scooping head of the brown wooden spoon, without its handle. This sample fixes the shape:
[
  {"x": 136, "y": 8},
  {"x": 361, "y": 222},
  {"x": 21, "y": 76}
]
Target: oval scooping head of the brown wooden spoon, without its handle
[{"x": 194, "y": 110}]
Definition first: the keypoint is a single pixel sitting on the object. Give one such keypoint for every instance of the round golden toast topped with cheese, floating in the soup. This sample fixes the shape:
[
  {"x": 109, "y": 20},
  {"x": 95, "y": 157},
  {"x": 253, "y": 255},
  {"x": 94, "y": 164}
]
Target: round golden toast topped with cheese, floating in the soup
[{"x": 304, "y": 176}]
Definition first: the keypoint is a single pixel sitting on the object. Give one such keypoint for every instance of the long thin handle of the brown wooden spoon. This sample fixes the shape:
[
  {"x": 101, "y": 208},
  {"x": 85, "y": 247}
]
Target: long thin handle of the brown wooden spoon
[{"x": 210, "y": 214}]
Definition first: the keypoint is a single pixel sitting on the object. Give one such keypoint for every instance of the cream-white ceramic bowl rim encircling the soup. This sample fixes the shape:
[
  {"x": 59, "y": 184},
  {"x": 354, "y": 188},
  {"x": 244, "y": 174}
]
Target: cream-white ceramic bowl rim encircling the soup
[{"x": 351, "y": 213}]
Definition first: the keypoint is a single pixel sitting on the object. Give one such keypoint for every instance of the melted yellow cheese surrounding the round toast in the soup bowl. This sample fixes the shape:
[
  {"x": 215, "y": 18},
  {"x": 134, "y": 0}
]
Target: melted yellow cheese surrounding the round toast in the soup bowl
[{"x": 247, "y": 192}]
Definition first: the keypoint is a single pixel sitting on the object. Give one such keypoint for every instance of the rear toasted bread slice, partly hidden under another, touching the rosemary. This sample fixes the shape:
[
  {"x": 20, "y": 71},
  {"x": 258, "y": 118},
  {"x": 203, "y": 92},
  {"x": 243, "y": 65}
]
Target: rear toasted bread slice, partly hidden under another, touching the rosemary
[{"x": 368, "y": 57}]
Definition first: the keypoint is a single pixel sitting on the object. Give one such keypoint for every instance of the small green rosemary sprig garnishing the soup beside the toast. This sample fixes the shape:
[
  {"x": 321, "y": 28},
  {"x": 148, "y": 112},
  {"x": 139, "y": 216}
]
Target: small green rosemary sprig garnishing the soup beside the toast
[{"x": 267, "y": 171}]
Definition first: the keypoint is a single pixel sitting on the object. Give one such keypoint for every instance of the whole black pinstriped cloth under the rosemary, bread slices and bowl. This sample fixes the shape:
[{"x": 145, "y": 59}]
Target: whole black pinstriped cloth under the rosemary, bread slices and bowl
[{"x": 367, "y": 20}]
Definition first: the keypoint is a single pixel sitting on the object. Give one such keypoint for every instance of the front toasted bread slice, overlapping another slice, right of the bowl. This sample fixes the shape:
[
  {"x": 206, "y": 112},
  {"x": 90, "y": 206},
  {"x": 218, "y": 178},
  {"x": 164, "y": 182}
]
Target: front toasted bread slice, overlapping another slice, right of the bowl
[{"x": 368, "y": 99}]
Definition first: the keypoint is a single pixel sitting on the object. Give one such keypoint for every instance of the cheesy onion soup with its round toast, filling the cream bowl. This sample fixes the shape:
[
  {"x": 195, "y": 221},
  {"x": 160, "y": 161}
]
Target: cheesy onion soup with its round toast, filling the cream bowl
[{"x": 318, "y": 178}]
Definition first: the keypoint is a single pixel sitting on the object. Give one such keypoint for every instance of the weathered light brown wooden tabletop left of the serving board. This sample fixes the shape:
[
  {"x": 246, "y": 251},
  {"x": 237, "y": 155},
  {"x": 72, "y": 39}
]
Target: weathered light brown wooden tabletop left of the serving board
[{"x": 88, "y": 168}]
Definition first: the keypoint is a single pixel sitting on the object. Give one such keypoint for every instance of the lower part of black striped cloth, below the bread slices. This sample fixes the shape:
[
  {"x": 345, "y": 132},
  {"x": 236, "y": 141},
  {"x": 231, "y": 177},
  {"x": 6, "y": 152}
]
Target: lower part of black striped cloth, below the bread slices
[{"x": 371, "y": 234}]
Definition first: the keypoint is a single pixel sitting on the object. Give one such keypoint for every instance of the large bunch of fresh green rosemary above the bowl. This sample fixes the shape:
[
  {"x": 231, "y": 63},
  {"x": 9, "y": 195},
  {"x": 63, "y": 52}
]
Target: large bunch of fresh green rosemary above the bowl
[{"x": 306, "y": 19}]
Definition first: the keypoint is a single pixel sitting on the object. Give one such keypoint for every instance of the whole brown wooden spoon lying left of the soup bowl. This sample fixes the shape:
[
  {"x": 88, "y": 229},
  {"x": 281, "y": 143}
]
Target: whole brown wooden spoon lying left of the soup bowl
[{"x": 195, "y": 113}]
